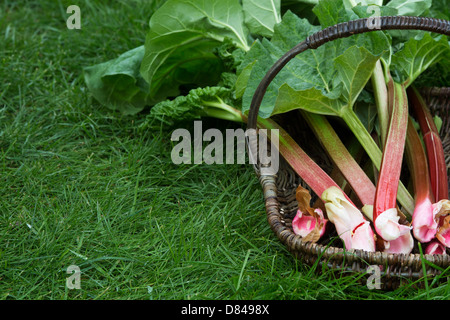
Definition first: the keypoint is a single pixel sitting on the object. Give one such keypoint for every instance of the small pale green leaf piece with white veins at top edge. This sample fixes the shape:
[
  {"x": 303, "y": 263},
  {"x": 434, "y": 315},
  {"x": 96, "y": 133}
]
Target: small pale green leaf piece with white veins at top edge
[{"x": 261, "y": 16}]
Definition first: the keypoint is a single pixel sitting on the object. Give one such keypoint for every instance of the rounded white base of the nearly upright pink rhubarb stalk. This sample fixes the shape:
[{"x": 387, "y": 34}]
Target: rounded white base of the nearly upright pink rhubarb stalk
[{"x": 388, "y": 227}]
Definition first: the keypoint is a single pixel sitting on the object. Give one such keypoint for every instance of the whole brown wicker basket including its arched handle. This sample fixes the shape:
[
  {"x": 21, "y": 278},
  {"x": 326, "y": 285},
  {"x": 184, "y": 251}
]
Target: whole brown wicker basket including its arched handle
[{"x": 279, "y": 190}]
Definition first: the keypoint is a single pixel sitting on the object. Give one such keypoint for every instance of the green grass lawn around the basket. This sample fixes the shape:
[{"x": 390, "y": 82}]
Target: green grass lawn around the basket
[{"x": 84, "y": 186}]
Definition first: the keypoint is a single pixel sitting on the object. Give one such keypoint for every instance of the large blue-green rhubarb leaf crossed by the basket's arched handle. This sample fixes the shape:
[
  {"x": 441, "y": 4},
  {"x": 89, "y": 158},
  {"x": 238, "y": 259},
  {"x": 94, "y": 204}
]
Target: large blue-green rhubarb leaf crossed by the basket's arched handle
[{"x": 324, "y": 80}]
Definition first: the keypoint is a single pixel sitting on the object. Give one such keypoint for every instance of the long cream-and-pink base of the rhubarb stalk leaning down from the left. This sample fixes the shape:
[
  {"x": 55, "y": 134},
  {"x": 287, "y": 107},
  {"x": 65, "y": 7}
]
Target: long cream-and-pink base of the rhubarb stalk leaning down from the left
[{"x": 349, "y": 222}]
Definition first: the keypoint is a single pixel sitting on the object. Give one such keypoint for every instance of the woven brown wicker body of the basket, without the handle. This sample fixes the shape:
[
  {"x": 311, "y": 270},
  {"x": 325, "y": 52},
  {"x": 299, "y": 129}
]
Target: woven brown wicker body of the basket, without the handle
[{"x": 281, "y": 206}]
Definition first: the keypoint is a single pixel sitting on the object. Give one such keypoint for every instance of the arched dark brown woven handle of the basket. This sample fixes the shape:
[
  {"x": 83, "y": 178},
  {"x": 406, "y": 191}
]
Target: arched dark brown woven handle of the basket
[{"x": 342, "y": 30}]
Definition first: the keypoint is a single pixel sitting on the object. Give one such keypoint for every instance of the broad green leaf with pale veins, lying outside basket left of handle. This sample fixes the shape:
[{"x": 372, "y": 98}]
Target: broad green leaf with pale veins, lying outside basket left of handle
[{"x": 183, "y": 34}]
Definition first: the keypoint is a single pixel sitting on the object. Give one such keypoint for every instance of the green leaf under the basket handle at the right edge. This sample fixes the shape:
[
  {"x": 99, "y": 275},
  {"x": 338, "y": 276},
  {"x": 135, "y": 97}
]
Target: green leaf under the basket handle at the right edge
[{"x": 416, "y": 56}]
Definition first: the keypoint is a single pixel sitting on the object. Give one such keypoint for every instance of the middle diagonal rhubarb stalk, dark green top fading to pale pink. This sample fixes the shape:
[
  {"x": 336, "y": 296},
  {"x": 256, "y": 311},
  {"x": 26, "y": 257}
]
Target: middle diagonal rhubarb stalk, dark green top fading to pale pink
[{"x": 352, "y": 172}]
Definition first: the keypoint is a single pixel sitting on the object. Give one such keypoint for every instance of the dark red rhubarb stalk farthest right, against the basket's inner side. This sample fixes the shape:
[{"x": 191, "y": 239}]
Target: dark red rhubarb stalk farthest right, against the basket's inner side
[{"x": 433, "y": 144}]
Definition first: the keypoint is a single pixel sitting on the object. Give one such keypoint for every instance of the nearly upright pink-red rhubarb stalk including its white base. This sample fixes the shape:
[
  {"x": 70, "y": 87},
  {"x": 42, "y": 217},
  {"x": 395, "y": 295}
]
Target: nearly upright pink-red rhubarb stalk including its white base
[{"x": 385, "y": 215}]
